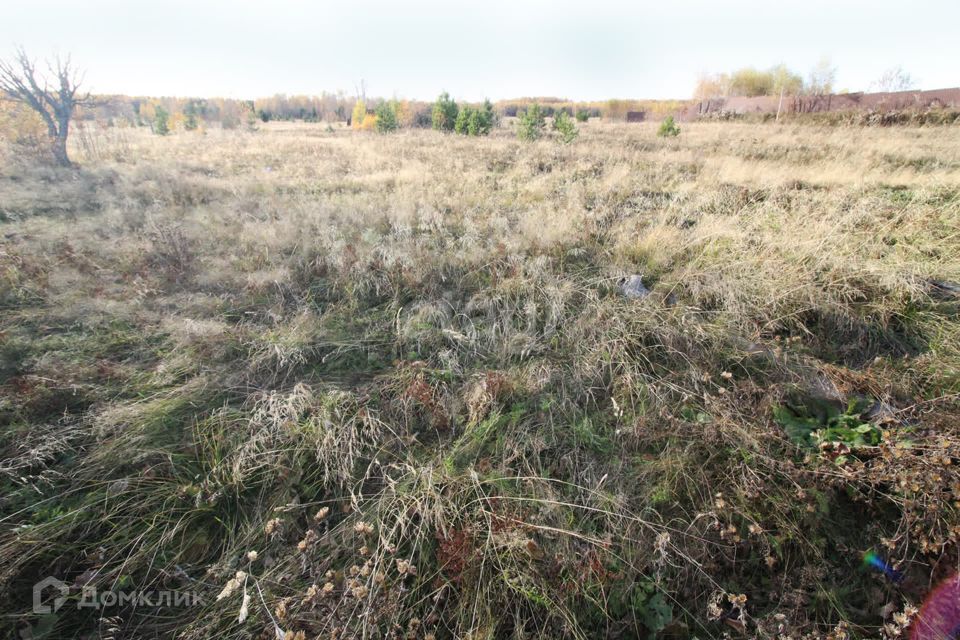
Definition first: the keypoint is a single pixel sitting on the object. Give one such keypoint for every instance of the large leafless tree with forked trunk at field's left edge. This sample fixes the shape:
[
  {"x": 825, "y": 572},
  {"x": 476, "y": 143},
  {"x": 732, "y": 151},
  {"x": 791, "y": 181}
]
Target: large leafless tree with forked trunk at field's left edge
[{"x": 53, "y": 95}]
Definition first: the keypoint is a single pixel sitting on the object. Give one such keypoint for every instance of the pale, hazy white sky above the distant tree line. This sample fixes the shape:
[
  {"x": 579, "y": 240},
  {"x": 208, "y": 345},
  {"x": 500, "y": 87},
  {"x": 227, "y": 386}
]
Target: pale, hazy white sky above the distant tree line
[{"x": 588, "y": 49}]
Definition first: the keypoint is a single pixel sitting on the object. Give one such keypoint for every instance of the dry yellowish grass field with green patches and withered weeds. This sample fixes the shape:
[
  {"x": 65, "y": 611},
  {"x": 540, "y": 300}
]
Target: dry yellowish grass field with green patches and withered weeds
[{"x": 349, "y": 385}]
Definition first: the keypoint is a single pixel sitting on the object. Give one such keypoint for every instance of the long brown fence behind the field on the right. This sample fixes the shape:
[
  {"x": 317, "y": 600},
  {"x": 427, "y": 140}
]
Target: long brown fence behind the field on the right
[{"x": 887, "y": 101}]
